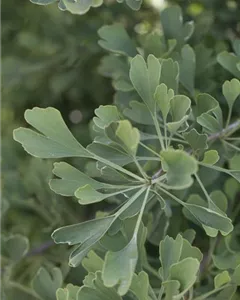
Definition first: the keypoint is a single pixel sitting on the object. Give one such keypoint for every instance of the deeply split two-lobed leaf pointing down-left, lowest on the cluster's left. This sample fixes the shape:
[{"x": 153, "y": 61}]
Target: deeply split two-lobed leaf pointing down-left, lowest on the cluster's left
[{"x": 86, "y": 234}]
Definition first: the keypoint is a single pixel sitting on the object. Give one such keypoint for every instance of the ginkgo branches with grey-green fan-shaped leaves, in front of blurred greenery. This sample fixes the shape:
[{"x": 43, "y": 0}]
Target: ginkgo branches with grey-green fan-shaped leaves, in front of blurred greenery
[{"x": 152, "y": 152}]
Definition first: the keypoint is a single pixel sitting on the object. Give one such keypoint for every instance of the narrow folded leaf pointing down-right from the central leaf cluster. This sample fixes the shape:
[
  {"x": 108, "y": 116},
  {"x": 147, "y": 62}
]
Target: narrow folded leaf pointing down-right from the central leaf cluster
[{"x": 210, "y": 218}]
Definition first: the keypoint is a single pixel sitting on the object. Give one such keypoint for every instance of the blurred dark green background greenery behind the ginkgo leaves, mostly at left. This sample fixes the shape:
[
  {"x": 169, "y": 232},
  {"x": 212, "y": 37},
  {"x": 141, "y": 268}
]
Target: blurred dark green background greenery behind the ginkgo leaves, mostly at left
[{"x": 52, "y": 58}]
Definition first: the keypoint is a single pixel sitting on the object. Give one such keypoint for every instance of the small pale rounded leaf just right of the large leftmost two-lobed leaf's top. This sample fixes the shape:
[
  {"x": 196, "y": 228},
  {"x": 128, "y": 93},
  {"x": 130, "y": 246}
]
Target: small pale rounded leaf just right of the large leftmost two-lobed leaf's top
[{"x": 106, "y": 114}]
